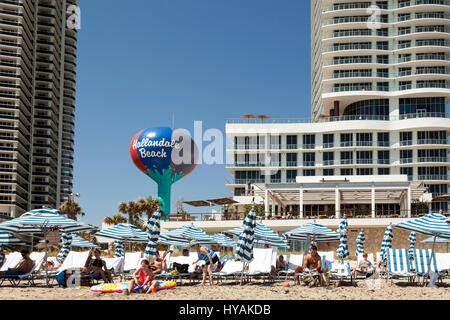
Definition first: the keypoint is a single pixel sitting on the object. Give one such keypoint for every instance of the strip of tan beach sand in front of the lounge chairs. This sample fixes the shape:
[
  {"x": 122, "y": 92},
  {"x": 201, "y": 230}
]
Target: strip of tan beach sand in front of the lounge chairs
[{"x": 256, "y": 290}]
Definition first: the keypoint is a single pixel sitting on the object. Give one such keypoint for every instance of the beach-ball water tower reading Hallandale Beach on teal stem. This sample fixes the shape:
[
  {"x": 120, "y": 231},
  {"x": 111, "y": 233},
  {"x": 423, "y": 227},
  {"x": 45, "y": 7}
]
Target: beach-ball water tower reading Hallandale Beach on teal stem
[{"x": 166, "y": 156}]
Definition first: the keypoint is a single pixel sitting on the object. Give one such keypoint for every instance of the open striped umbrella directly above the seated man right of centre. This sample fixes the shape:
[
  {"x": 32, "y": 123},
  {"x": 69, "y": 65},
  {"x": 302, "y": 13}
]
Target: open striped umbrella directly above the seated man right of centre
[{"x": 317, "y": 233}]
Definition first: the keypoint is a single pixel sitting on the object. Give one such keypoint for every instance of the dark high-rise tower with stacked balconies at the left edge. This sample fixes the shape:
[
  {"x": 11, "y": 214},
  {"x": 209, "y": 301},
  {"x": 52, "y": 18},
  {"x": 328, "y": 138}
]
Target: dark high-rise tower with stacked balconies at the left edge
[{"x": 38, "y": 56}]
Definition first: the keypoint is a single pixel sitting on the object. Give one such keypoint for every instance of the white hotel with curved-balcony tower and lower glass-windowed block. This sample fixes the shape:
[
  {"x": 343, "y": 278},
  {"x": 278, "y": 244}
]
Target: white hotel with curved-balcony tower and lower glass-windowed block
[{"x": 377, "y": 141}]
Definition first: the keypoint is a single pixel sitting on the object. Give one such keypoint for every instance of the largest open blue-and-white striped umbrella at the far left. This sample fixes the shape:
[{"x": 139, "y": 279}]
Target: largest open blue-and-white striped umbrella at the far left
[{"x": 36, "y": 221}]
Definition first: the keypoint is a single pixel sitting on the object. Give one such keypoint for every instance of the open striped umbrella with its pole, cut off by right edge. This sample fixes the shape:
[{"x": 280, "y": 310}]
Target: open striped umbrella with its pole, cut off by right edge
[{"x": 434, "y": 224}]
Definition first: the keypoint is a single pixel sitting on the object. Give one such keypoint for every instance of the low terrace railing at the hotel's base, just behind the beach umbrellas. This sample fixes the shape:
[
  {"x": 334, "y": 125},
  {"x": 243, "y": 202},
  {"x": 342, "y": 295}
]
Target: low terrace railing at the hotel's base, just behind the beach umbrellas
[{"x": 306, "y": 215}]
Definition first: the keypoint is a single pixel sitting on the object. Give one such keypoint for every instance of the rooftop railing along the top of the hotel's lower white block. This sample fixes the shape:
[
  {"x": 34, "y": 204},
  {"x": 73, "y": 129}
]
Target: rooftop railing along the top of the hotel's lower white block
[{"x": 342, "y": 118}]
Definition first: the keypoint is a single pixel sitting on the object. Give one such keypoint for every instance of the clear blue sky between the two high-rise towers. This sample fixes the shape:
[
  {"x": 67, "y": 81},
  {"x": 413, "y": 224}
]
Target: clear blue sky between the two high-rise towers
[{"x": 141, "y": 62}]
